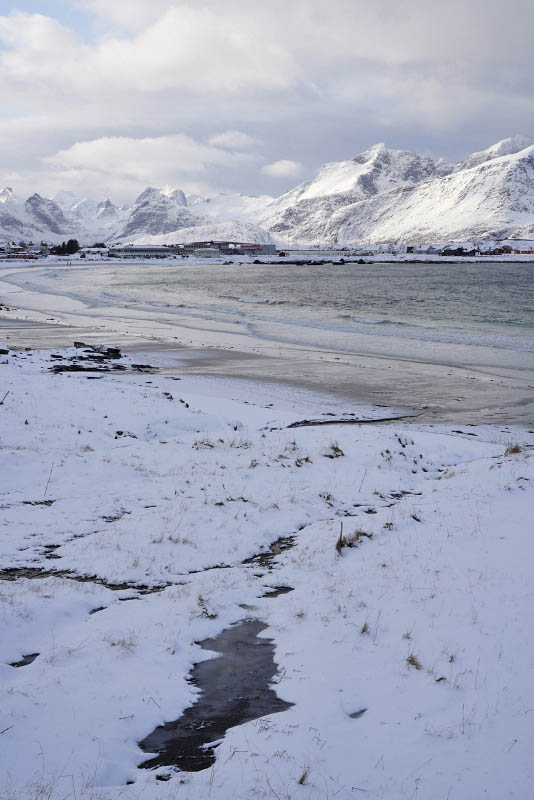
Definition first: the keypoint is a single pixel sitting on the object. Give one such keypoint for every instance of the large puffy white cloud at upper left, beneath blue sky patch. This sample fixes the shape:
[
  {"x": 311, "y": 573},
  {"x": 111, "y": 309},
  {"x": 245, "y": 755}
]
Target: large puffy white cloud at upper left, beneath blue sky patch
[{"x": 186, "y": 49}]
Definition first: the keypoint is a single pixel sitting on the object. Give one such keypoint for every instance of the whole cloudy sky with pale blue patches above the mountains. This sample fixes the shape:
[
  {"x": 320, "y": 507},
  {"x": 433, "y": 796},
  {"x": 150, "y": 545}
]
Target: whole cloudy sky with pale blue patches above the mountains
[{"x": 104, "y": 97}]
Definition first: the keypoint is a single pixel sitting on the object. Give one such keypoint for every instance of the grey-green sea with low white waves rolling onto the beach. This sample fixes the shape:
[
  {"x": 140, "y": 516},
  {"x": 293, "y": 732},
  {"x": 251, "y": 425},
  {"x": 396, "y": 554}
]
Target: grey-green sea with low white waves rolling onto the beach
[{"x": 407, "y": 310}]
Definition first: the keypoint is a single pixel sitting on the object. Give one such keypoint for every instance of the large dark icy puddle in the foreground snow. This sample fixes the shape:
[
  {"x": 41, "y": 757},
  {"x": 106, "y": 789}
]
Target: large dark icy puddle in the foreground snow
[{"x": 235, "y": 690}]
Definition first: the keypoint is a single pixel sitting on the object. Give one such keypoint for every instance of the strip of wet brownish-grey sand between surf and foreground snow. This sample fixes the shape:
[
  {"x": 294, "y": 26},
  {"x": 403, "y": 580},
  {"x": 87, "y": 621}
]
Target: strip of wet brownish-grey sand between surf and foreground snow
[{"x": 437, "y": 392}]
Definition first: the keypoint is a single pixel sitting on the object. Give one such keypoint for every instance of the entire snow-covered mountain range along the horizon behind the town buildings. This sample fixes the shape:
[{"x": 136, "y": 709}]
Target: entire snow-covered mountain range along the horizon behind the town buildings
[{"x": 380, "y": 195}]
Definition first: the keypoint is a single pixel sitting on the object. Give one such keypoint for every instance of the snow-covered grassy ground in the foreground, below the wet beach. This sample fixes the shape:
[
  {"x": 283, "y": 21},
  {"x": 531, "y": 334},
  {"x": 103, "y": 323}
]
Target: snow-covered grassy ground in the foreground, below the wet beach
[{"x": 407, "y": 650}]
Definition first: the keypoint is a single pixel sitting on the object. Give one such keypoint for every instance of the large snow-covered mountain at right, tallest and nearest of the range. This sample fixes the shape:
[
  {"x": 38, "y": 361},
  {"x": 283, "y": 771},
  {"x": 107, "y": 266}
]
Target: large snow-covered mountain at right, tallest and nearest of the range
[{"x": 389, "y": 195}]
